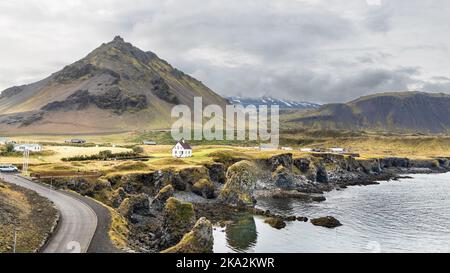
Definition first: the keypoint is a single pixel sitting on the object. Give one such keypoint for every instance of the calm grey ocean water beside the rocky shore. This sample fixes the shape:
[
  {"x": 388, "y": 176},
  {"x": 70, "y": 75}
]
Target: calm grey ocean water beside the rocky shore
[{"x": 411, "y": 215}]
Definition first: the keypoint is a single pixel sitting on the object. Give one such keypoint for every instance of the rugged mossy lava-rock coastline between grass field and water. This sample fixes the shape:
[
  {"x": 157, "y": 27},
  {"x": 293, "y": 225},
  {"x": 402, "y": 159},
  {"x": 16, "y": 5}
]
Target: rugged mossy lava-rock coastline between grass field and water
[{"x": 167, "y": 209}]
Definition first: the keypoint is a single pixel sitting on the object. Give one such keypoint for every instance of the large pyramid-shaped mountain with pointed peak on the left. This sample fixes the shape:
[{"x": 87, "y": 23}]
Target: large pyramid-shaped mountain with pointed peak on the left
[{"x": 116, "y": 87}]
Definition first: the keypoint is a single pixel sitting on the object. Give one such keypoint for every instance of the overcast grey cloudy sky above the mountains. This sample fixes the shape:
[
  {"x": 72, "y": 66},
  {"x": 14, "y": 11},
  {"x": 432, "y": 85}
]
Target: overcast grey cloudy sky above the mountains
[{"x": 307, "y": 50}]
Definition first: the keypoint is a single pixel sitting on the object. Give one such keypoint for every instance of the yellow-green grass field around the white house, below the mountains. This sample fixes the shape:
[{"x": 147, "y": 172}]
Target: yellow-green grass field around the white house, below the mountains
[{"x": 368, "y": 145}]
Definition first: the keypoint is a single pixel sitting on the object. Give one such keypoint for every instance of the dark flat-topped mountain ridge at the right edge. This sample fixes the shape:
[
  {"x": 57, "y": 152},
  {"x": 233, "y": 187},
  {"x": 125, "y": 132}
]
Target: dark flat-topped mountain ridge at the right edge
[{"x": 397, "y": 111}]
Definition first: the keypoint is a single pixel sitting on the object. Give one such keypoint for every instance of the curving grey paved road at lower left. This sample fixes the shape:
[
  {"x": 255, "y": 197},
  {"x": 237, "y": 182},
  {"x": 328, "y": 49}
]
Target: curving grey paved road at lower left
[{"x": 77, "y": 223}]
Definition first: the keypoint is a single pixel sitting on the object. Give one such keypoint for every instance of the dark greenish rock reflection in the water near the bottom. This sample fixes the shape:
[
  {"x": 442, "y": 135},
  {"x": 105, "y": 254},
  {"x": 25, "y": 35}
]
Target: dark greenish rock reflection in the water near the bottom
[{"x": 242, "y": 234}]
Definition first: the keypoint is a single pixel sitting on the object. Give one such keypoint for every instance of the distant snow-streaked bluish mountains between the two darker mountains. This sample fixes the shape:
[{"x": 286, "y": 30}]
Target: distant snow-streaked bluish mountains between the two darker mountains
[{"x": 284, "y": 104}]
